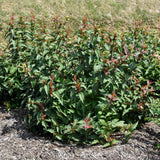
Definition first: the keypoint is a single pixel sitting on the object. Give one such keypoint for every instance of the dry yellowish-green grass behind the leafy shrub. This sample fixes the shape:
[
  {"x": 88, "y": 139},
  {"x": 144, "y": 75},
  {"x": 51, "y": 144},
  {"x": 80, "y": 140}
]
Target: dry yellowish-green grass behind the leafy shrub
[{"x": 116, "y": 14}]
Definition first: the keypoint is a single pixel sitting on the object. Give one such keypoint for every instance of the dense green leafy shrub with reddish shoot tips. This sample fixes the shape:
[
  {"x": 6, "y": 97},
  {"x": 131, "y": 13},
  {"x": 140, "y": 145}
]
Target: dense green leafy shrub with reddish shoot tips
[{"x": 82, "y": 88}]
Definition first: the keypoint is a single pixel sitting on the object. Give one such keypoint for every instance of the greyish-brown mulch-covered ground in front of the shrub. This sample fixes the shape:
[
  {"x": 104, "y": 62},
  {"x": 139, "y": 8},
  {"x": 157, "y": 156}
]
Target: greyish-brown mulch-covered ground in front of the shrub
[{"x": 16, "y": 143}]
